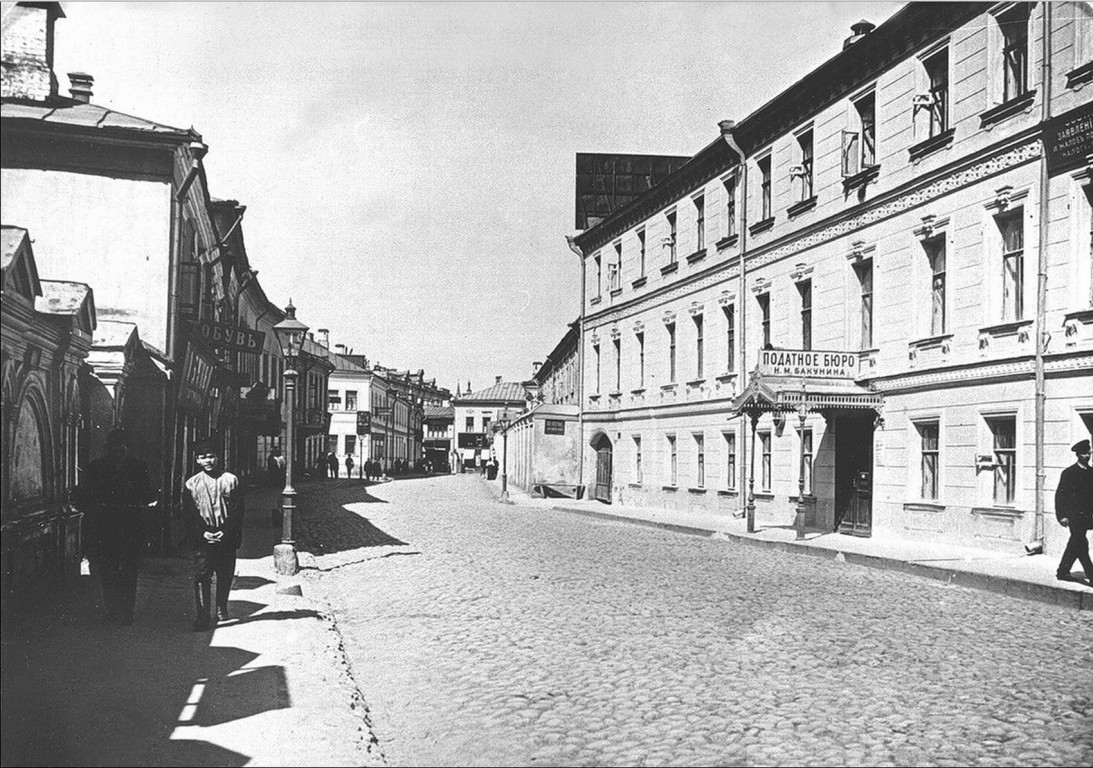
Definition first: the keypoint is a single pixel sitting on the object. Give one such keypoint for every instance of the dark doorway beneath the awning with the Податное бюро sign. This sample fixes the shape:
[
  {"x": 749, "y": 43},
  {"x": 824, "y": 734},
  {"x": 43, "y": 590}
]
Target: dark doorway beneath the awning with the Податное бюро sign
[{"x": 854, "y": 475}]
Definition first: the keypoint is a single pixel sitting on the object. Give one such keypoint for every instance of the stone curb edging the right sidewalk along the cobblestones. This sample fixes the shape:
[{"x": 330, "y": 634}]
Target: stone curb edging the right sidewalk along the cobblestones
[{"x": 990, "y": 583}]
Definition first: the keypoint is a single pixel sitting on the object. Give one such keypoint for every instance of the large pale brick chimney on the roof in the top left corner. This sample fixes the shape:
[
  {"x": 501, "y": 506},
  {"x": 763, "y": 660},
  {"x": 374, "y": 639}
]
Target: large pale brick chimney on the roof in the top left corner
[{"x": 29, "y": 51}]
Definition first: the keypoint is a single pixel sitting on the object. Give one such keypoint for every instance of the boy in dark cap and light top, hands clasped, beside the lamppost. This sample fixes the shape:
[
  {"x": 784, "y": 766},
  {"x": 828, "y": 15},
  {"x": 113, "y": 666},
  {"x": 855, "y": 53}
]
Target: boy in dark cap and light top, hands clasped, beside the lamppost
[{"x": 214, "y": 502}]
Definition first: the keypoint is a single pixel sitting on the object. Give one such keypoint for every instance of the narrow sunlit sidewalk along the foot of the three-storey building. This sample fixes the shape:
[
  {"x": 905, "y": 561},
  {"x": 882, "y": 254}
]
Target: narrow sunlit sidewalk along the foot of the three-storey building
[{"x": 1020, "y": 576}]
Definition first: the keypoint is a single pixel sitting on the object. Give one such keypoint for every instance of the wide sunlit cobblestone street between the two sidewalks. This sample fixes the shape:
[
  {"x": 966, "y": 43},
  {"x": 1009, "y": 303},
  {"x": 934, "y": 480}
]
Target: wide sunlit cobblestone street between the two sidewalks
[{"x": 485, "y": 634}]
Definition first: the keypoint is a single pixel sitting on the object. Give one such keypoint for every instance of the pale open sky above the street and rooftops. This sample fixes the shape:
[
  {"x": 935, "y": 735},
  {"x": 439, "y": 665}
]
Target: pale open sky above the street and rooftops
[{"x": 409, "y": 169}]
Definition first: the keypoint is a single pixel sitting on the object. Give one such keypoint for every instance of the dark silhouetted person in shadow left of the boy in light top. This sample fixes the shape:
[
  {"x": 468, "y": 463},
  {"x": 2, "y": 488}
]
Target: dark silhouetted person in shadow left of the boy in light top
[{"x": 114, "y": 498}]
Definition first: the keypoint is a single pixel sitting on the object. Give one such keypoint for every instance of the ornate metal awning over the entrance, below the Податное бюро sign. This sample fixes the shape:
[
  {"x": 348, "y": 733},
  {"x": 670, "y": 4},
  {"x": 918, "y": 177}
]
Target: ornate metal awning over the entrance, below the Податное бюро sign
[{"x": 781, "y": 394}]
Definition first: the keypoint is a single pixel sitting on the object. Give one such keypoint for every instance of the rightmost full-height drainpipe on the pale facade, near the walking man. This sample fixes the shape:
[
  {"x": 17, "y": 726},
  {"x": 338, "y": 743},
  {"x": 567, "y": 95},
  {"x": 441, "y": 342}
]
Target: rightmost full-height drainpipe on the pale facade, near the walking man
[{"x": 1037, "y": 547}]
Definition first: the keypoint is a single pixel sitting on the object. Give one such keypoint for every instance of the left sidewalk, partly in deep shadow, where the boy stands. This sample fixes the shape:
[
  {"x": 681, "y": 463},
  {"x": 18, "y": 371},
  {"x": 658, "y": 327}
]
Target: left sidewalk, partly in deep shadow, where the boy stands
[{"x": 273, "y": 688}]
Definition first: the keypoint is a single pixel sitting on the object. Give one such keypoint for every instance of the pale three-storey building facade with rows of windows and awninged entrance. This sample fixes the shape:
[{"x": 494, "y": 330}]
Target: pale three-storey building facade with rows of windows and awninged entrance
[{"x": 833, "y": 311}]
